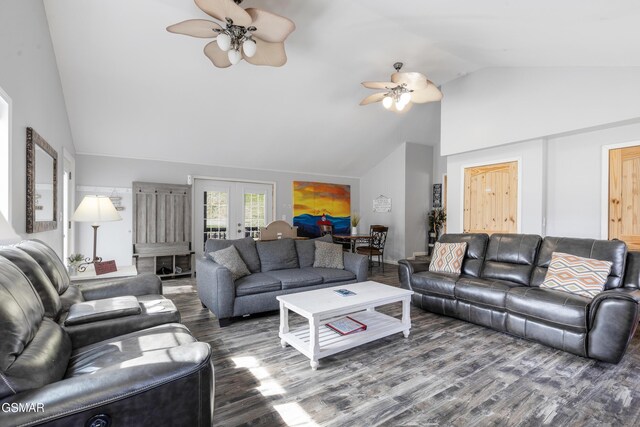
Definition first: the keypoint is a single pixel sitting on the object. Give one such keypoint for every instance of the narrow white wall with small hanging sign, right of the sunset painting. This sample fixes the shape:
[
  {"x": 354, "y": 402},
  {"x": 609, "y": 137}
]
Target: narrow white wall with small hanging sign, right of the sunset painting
[{"x": 387, "y": 178}]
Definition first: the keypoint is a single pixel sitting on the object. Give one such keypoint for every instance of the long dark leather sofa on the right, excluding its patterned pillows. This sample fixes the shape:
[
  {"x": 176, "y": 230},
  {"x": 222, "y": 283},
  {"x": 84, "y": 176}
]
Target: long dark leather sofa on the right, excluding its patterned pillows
[{"x": 499, "y": 288}]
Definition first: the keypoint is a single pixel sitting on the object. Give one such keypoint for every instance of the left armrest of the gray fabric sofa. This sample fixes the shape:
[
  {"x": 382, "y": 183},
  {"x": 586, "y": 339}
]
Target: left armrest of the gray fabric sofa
[{"x": 215, "y": 287}]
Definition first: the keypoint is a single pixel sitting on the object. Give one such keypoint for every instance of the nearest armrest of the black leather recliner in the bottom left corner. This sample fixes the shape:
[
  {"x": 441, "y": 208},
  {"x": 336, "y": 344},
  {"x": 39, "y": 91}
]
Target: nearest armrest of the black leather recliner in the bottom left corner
[{"x": 153, "y": 388}]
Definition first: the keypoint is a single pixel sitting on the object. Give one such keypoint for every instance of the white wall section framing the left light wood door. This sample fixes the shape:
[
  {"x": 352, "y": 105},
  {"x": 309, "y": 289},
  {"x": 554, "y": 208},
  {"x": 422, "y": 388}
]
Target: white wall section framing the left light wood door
[{"x": 532, "y": 193}]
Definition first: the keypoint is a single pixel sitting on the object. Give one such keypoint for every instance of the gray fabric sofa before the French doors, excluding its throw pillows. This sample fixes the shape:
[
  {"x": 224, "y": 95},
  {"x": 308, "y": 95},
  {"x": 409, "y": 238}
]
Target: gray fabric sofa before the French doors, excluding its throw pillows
[{"x": 277, "y": 267}]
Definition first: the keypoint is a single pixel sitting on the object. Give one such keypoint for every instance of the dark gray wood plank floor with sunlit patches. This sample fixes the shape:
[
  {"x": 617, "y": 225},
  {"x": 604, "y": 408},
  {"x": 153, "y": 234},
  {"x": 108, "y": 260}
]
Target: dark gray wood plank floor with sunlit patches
[{"x": 448, "y": 372}]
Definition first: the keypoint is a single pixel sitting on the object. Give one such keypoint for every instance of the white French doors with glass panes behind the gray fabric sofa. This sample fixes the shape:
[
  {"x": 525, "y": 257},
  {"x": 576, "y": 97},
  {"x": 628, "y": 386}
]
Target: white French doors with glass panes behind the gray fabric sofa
[{"x": 230, "y": 210}]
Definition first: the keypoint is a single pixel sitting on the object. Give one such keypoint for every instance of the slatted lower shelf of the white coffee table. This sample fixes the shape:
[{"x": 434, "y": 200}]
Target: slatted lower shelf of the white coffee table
[{"x": 379, "y": 325}]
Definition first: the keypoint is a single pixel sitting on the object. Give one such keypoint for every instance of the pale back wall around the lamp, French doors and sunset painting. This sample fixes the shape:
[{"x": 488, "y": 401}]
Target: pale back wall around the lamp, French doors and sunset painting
[{"x": 107, "y": 173}]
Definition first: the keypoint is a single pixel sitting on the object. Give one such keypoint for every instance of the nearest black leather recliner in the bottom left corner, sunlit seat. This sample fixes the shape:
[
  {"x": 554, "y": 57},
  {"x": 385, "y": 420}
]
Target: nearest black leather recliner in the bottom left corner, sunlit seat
[{"x": 156, "y": 376}]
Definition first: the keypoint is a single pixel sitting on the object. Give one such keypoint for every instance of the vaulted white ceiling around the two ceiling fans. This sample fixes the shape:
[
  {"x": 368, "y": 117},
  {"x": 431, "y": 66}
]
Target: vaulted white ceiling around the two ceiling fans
[{"x": 134, "y": 90}]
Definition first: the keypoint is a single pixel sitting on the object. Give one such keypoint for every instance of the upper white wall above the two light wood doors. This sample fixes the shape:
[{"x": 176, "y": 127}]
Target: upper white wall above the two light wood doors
[{"x": 496, "y": 106}]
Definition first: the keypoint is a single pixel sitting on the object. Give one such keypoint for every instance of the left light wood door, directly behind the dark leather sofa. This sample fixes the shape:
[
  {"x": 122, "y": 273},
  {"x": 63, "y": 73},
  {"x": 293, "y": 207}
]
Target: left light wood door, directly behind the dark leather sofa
[{"x": 491, "y": 198}]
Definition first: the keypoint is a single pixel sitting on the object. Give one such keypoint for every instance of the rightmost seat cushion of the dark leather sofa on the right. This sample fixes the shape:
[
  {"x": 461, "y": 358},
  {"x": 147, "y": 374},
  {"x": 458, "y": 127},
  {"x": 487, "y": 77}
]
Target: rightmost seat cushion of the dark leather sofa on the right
[{"x": 559, "y": 309}]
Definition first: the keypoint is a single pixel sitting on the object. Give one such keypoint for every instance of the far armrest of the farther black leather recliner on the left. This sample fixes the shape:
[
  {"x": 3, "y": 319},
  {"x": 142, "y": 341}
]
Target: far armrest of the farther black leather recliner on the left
[{"x": 142, "y": 284}]
